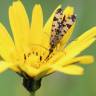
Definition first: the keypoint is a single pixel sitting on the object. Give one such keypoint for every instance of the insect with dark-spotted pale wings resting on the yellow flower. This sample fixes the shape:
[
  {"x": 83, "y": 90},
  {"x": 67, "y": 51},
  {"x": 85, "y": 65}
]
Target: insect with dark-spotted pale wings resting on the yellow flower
[{"x": 61, "y": 24}]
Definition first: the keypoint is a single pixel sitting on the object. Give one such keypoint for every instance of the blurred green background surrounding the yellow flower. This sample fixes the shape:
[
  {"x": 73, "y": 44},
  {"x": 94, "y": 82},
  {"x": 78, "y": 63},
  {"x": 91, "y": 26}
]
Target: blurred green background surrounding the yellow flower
[{"x": 57, "y": 84}]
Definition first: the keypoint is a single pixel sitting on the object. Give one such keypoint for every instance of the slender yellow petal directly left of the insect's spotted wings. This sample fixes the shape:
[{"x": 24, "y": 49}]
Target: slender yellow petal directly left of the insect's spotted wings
[{"x": 47, "y": 30}]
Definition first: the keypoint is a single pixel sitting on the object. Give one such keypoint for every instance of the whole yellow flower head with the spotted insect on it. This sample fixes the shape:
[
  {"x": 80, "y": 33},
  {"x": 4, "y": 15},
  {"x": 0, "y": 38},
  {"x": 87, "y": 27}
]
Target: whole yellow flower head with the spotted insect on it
[{"x": 37, "y": 50}]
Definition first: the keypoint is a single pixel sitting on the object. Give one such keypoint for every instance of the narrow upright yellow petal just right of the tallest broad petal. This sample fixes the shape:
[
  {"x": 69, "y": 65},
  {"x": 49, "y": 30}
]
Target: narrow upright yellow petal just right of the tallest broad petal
[{"x": 37, "y": 25}]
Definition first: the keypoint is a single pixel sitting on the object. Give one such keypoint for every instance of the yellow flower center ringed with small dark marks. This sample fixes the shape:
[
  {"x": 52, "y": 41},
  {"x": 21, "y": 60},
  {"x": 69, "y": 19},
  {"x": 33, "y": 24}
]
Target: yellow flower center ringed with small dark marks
[{"x": 36, "y": 56}]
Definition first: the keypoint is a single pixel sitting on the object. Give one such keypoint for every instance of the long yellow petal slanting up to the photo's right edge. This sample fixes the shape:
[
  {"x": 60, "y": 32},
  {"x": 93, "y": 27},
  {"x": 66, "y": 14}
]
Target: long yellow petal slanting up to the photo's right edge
[{"x": 76, "y": 47}]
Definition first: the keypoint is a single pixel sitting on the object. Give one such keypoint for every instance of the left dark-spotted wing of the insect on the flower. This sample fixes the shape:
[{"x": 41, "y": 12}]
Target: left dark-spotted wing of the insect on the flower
[{"x": 56, "y": 28}]
